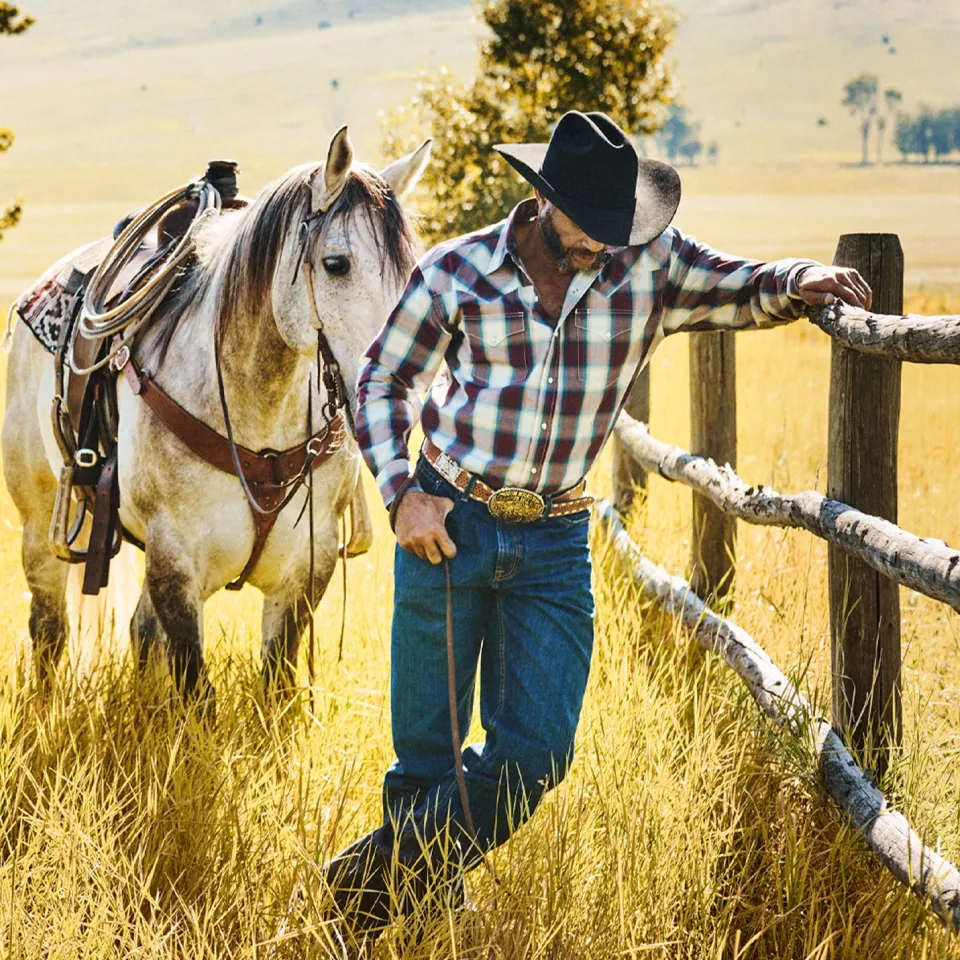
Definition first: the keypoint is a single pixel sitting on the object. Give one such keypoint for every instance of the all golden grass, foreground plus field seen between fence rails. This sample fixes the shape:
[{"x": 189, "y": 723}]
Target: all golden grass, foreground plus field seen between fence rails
[{"x": 689, "y": 827}]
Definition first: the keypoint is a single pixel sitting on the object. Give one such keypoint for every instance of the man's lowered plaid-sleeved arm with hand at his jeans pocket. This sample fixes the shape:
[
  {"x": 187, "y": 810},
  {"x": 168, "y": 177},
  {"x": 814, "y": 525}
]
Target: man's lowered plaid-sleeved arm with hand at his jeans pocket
[{"x": 401, "y": 363}]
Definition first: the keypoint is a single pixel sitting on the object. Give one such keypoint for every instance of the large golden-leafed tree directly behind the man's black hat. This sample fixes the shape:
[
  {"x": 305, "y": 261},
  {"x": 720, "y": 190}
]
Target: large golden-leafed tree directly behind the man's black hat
[{"x": 541, "y": 60}]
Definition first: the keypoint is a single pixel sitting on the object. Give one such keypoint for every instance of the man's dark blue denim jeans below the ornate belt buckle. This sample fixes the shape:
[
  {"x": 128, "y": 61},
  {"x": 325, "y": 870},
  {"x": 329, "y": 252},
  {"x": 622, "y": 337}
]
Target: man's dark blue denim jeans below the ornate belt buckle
[{"x": 523, "y": 614}]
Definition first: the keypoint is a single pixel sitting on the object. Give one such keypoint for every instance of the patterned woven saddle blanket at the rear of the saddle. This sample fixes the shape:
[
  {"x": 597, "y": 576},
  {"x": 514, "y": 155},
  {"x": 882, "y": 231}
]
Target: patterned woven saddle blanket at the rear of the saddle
[{"x": 53, "y": 301}]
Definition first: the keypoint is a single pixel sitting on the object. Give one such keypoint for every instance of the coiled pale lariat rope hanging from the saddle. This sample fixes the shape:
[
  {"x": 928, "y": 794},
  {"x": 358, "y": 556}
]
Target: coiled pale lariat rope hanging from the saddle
[{"x": 97, "y": 320}]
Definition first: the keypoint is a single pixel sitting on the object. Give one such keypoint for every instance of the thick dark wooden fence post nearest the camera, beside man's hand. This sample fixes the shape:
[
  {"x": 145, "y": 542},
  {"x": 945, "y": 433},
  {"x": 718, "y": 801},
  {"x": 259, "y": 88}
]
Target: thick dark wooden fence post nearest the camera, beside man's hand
[{"x": 862, "y": 471}]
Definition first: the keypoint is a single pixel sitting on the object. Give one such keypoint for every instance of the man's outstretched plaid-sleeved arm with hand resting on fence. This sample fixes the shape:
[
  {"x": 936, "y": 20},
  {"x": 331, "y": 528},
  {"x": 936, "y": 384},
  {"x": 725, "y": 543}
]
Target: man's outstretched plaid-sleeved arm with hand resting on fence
[{"x": 709, "y": 290}]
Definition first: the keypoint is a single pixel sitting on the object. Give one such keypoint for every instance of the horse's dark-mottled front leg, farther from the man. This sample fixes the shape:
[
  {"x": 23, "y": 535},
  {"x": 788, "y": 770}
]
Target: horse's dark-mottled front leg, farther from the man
[{"x": 175, "y": 598}]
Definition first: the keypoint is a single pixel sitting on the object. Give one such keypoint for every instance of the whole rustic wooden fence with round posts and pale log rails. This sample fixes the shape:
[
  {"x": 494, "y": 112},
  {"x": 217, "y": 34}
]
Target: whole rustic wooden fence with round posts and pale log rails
[{"x": 869, "y": 556}]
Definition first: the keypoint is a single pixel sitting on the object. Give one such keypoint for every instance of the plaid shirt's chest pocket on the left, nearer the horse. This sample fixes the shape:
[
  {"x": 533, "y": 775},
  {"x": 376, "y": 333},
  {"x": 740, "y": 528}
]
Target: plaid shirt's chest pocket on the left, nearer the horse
[{"x": 496, "y": 349}]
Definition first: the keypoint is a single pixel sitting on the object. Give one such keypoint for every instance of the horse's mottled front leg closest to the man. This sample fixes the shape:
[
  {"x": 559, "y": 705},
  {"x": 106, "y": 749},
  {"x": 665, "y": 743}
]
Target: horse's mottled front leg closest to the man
[{"x": 286, "y": 615}]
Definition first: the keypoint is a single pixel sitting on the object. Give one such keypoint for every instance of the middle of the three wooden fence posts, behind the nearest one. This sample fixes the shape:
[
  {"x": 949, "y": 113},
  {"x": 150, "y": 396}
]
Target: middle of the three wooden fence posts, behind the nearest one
[{"x": 713, "y": 433}]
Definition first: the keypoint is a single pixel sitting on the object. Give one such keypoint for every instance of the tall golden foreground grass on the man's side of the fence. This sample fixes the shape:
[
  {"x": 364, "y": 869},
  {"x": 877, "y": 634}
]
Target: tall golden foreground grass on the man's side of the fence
[{"x": 688, "y": 827}]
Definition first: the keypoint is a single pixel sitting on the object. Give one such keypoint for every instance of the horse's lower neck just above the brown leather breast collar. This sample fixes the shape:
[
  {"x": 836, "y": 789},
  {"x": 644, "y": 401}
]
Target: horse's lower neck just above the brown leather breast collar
[{"x": 265, "y": 382}]
